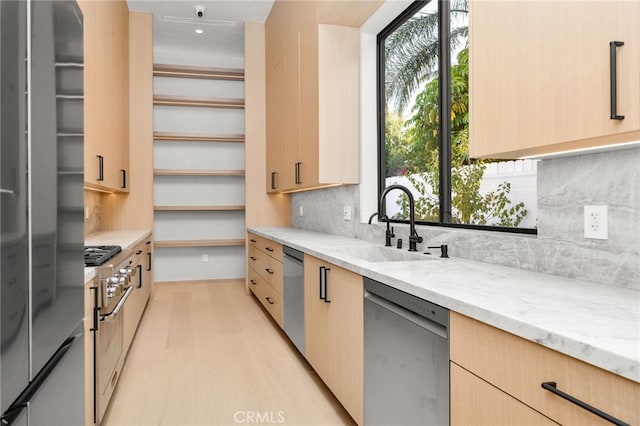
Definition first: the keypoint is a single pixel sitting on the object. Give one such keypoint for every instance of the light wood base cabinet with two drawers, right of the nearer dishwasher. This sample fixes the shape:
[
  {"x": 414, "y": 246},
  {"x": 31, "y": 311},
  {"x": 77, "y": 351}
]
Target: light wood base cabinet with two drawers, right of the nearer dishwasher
[{"x": 496, "y": 379}]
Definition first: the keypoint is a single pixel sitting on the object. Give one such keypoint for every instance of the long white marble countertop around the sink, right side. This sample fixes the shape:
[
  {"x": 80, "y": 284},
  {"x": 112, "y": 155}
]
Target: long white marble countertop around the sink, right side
[{"x": 594, "y": 323}]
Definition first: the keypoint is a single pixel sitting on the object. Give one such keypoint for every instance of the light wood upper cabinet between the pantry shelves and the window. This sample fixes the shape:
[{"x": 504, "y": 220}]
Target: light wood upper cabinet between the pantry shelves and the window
[{"x": 313, "y": 94}]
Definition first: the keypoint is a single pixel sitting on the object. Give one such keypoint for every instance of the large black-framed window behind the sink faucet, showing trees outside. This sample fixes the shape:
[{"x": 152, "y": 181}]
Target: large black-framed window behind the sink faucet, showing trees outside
[{"x": 423, "y": 69}]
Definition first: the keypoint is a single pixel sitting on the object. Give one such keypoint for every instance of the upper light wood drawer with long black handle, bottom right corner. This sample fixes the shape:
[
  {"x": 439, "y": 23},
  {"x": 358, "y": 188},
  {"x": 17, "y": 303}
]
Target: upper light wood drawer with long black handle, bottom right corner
[{"x": 519, "y": 367}]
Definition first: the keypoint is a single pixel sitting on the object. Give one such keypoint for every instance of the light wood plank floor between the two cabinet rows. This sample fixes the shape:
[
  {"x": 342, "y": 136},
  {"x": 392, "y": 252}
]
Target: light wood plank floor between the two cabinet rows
[{"x": 208, "y": 354}]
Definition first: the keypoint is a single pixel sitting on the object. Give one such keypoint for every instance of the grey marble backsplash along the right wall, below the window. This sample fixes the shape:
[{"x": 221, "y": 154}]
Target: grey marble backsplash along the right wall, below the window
[{"x": 565, "y": 186}]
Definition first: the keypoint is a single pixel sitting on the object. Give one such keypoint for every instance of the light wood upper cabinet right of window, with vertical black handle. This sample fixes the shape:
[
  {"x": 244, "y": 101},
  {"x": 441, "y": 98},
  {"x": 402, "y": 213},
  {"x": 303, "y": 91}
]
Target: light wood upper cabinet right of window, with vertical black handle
[{"x": 540, "y": 76}]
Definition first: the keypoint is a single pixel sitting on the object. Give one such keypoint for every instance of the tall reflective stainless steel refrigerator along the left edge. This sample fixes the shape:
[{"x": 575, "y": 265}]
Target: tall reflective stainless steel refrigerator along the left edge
[{"x": 41, "y": 204}]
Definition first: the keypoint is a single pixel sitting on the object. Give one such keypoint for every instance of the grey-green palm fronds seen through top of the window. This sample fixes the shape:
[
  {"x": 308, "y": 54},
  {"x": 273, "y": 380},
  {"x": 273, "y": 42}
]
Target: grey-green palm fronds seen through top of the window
[{"x": 411, "y": 52}]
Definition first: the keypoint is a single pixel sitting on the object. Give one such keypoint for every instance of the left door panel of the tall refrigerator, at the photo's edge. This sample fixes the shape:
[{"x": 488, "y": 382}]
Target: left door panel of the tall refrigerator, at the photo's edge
[{"x": 14, "y": 260}]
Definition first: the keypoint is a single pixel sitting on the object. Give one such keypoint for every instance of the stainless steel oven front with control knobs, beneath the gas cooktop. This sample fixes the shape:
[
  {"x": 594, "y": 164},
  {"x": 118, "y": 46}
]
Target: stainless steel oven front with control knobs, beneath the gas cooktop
[{"x": 112, "y": 292}]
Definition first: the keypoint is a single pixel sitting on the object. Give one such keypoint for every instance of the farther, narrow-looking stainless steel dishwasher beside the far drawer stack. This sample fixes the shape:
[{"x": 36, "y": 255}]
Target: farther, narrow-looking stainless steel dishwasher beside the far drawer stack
[{"x": 293, "y": 295}]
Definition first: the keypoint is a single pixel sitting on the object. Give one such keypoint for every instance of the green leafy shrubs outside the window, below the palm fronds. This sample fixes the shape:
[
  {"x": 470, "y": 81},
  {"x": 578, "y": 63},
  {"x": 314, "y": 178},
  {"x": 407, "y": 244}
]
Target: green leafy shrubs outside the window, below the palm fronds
[{"x": 469, "y": 206}]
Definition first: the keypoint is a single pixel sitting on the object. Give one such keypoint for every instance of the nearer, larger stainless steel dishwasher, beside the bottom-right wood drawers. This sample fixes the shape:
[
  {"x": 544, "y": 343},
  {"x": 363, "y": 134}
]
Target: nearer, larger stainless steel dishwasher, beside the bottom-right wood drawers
[{"x": 406, "y": 358}]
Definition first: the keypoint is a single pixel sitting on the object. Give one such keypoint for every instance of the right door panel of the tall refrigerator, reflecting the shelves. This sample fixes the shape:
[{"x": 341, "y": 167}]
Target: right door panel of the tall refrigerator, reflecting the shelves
[{"x": 57, "y": 238}]
